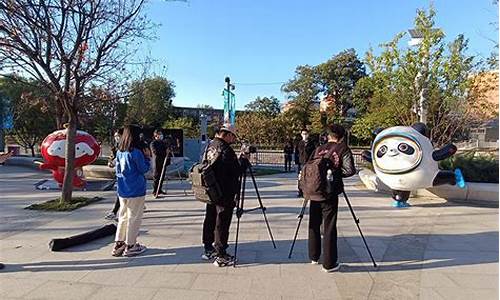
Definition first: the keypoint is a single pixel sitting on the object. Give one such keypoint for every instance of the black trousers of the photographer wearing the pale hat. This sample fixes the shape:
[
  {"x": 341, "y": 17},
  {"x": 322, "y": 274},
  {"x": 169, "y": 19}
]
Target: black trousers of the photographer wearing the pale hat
[{"x": 216, "y": 227}]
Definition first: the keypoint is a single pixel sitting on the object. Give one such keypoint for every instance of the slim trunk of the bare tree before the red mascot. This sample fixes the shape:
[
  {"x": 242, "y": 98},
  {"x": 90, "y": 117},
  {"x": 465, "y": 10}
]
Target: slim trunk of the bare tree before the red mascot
[{"x": 69, "y": 170}]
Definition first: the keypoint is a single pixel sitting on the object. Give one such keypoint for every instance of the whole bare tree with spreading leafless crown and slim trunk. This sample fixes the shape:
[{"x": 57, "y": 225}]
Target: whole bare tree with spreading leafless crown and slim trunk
[{"x": 68, "y": 44}]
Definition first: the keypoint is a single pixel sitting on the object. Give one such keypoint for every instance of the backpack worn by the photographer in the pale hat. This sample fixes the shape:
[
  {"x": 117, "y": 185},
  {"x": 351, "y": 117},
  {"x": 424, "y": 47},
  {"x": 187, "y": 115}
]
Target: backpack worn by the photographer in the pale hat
[{"x": 204, "y": 183}]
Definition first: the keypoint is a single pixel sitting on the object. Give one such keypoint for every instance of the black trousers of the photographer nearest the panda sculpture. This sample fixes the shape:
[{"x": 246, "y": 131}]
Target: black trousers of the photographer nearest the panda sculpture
[{"x": 323, "y": 212}]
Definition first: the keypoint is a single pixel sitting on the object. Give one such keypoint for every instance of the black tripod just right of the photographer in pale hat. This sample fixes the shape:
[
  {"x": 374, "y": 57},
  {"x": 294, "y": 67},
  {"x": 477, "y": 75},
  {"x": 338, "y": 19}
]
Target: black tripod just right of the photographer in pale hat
[{"x": 241, "y": 200}]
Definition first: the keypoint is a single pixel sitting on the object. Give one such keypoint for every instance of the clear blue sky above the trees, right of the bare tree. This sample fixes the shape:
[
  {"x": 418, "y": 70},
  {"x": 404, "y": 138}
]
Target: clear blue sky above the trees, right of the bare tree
[{"x": 259, "y": 43}]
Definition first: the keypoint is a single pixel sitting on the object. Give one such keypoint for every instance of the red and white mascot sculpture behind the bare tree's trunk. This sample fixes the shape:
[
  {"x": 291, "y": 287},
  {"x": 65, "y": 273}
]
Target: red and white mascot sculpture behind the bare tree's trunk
[{"x": 53, "y": 150}]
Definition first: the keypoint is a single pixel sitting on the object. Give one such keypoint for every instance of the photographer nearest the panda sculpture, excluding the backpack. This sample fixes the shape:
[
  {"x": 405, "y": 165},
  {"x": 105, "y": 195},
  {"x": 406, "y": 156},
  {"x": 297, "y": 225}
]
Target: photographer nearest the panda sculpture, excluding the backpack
[{"x": 325, "y": 211}]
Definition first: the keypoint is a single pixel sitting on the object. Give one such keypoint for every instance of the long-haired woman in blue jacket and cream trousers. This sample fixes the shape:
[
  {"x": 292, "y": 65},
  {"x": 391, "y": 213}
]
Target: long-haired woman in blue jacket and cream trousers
[{"x": 132, "y": 163}]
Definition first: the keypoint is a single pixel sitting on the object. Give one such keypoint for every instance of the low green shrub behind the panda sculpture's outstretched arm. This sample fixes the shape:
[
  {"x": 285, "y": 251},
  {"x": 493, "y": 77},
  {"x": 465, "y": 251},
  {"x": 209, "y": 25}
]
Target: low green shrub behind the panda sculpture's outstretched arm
[{"x": 475, "y": 168}]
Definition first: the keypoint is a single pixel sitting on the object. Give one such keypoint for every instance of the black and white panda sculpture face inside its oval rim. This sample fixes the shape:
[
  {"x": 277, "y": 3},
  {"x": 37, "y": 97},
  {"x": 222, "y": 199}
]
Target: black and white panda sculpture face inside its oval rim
[{"x": 397, "y": 153}]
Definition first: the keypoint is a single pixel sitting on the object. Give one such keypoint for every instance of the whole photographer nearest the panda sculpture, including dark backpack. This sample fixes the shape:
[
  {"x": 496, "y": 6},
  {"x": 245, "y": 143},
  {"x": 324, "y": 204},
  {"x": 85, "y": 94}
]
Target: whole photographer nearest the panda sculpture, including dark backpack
[{"x": 324, "y": 203}]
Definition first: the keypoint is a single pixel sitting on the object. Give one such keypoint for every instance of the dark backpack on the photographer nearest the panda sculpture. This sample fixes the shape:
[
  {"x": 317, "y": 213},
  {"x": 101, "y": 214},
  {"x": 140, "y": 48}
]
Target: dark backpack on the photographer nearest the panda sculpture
[{"x": 313, "y": 176}]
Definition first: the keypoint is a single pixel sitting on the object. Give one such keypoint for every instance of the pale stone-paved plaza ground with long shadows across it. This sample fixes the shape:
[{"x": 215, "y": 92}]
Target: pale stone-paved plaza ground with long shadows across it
[{"x": 433, "y": 250}]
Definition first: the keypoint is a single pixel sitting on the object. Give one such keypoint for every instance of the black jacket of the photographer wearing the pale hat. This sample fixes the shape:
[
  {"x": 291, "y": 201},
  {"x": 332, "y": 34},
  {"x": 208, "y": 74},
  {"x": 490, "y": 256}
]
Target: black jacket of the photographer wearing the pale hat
[{"x": 227, "y": 170}]
